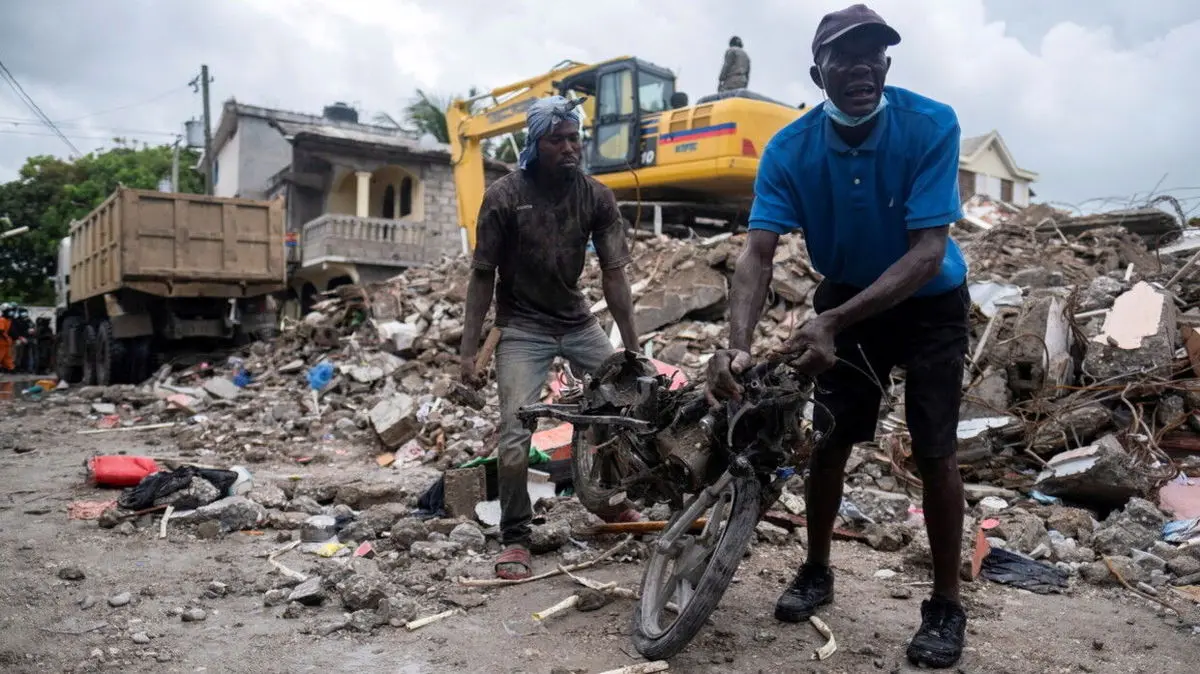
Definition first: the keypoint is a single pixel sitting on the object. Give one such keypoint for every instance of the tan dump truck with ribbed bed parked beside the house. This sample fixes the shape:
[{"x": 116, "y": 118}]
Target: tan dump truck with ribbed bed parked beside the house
[{"x": 148, "y": 275}]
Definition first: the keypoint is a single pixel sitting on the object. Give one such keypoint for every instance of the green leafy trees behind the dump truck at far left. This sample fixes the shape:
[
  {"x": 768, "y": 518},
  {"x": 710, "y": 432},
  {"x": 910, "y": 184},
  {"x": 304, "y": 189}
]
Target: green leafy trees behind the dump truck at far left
[{"x": 51, "y": 194}]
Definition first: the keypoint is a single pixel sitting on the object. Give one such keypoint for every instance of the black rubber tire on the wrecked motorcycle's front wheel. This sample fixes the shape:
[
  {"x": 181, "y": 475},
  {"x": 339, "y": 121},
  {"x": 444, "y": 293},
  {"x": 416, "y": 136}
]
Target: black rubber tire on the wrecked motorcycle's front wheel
[{"x": 731, "y": 549}]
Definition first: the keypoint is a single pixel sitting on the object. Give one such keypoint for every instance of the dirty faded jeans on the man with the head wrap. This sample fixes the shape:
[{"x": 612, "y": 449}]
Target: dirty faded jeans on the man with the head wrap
[{"x": 523, "y": 363}]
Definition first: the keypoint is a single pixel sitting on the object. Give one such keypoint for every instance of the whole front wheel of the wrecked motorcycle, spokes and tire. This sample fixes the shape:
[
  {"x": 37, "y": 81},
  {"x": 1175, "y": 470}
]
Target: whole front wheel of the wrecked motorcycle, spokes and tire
[{"x": 693, "y": 571}]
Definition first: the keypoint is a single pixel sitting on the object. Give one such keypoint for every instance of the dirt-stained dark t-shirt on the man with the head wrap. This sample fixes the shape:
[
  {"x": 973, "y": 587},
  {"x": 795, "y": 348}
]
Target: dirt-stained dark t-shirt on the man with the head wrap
[{"x": 538, "y": 243}]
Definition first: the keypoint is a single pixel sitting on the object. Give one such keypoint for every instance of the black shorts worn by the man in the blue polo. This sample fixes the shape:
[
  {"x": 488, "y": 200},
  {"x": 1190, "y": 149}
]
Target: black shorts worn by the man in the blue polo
[{"x": 927, "y": 336}]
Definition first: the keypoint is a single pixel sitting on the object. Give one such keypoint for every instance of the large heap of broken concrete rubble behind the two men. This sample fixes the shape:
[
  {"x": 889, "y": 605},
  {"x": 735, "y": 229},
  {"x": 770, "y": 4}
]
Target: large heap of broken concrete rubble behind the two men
[{"x": 1079, "y": 436}]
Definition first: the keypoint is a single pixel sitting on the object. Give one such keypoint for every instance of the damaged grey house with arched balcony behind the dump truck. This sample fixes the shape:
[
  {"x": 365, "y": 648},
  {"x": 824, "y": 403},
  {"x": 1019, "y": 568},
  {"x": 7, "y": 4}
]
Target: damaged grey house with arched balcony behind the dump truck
[{"x": 364, "y": 202}]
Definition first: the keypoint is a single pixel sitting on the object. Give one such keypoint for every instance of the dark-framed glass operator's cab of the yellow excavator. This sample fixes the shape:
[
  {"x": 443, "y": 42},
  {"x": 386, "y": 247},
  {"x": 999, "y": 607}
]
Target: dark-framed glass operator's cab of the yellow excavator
[{"x": 629, "y": 95}]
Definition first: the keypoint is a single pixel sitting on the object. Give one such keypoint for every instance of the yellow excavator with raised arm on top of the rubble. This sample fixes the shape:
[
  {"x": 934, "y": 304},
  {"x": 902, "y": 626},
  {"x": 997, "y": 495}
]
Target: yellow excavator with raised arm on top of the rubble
[{"x": 685, "y": 164}]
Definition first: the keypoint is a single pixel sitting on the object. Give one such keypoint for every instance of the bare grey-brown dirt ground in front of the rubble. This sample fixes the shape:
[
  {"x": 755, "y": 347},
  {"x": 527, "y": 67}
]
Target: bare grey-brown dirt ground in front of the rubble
[{"x": 45, "y": 629}]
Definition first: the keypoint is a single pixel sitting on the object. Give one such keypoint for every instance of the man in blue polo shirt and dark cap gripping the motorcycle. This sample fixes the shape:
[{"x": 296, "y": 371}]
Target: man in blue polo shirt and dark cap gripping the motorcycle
[{"x": 872, "y": 182}]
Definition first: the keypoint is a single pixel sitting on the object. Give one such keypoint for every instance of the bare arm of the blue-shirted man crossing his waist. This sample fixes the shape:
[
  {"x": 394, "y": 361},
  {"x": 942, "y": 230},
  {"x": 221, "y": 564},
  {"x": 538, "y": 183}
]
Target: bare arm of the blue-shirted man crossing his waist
[{"x": 914, "y": 270}]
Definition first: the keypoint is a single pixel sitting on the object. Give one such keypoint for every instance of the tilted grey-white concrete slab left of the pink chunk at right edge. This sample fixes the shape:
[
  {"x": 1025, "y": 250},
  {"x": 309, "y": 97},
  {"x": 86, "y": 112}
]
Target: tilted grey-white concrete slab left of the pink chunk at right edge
[{"x": 1102, "y": 474}]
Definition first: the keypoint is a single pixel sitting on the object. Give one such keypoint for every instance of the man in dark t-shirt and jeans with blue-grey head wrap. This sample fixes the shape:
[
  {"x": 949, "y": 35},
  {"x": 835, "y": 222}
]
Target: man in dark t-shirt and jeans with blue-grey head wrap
[{"x": 533, "y": 231}]
